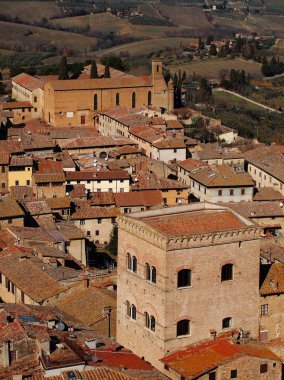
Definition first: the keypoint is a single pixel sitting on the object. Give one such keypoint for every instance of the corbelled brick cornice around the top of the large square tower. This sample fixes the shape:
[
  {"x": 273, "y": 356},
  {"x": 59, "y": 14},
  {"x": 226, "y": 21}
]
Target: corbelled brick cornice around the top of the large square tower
[{"x": 167, "y": 243}]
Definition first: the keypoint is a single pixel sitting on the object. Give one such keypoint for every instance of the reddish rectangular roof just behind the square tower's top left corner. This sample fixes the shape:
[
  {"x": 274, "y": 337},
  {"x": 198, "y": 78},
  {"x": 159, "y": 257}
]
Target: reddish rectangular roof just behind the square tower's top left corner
[{"x": 139, "y": 198}]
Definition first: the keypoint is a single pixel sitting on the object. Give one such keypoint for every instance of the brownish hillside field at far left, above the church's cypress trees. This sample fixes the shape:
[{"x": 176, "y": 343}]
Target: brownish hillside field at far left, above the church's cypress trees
[{"x": 30, "y": 37}]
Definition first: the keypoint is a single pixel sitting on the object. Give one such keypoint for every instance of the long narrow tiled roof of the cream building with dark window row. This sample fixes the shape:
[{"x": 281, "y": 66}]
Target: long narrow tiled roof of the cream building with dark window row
[{"x": 96, "y": 175}]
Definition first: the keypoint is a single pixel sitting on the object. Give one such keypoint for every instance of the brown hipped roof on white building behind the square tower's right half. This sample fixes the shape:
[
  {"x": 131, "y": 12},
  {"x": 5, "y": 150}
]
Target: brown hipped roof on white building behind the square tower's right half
[{"x": 221, "y": 176}]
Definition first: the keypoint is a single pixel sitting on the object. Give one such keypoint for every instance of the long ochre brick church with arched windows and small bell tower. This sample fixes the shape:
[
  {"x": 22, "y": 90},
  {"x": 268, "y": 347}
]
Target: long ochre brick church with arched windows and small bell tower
[{"x": 77, "y": 102}]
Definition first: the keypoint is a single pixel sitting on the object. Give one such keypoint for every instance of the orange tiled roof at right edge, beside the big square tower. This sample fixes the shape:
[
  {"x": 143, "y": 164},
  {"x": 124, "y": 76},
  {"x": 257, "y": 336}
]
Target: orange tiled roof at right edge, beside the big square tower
[{"x": 274, "y": 280}]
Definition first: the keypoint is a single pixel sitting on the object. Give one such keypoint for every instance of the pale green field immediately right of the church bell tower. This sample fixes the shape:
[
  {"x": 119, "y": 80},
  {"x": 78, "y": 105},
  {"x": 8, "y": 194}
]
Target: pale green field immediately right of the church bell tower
[{"x": 215, "y": 68}]
